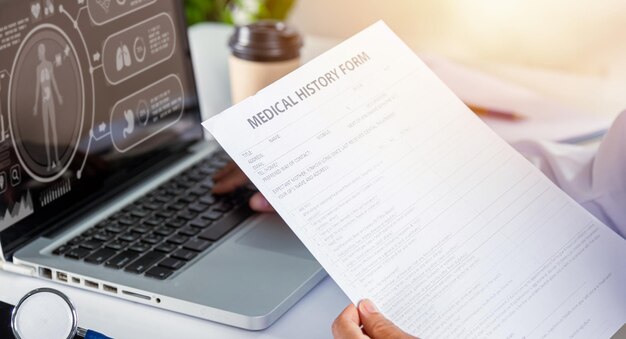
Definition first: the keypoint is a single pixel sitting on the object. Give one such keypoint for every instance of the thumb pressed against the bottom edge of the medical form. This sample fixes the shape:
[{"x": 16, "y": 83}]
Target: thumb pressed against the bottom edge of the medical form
[{"x": 376, "y": 325}]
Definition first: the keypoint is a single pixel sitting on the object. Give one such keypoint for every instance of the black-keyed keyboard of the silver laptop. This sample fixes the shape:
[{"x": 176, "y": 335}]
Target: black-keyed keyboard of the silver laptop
[{"x": 162, "y": 231}]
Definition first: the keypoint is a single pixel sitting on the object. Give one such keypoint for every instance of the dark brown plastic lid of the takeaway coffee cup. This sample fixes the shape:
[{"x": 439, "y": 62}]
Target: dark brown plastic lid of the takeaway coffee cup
[{"x": 265, "y": 41}]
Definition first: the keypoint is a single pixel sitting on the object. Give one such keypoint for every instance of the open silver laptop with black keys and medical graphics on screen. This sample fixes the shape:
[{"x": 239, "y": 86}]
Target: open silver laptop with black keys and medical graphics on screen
[{"x": 105, "y": 174}]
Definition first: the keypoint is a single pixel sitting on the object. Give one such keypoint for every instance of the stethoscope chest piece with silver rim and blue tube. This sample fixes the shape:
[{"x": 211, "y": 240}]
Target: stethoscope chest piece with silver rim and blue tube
[{"x": 48, "y": 313}]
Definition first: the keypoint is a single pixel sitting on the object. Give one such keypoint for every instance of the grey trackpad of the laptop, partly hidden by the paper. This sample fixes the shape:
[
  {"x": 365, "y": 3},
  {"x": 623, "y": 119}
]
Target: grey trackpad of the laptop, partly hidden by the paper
[{"x": 274, "y": 235}]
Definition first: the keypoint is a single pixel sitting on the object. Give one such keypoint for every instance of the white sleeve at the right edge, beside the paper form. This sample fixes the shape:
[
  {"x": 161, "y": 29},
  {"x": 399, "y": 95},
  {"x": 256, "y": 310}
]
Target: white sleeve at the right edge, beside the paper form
[{"x": 593, "y": 176}]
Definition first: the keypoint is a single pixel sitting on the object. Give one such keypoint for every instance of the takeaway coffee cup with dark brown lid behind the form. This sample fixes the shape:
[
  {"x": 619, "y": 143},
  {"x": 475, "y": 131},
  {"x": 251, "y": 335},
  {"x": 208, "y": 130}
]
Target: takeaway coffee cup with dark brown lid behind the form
[{"x": 261, "y": 53}]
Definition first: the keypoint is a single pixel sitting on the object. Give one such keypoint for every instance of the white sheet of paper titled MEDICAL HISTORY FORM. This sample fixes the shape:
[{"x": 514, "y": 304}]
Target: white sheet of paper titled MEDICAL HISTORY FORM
[{"x": 405, "y": 197}]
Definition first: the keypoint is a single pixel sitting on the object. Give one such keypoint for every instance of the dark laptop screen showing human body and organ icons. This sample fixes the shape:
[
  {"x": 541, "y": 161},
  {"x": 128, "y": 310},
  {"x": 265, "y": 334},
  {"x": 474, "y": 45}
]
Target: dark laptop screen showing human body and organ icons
[{"x": 94, "y": 95}]
